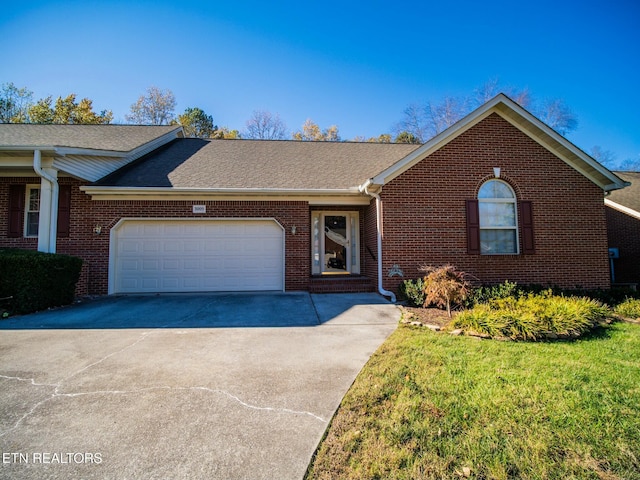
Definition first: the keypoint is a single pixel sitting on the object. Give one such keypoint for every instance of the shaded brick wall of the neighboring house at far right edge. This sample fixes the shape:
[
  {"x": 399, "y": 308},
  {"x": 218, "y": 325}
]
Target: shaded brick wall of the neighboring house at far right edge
[{"x": 624, "y": 234}]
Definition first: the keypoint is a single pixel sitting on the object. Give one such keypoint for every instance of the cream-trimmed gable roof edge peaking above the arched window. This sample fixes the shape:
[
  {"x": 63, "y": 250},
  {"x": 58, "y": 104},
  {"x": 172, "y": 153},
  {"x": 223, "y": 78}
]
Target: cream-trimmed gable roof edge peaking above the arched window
[{"x": 523, "y": 121}]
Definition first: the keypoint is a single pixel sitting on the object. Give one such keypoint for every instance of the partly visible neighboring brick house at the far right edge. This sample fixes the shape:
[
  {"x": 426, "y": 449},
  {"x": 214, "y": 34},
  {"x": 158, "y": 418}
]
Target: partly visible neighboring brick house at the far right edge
[{"x": 623, "y": 223}]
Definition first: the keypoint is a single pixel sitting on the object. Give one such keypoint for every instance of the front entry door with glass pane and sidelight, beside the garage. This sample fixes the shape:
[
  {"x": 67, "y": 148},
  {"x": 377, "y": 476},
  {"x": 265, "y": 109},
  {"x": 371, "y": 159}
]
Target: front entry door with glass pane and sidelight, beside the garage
[{"x": 335, "y": 248}]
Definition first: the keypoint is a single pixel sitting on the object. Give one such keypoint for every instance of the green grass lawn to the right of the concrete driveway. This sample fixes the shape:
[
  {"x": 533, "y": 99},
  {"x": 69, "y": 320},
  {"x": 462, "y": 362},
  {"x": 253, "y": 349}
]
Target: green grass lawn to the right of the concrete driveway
[{"x": 435, "y": 406}]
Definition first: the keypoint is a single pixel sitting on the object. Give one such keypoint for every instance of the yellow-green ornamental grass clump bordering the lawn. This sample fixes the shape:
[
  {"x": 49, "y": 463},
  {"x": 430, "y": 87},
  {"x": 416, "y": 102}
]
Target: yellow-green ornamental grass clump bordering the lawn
[{"x": 533, "y": 317}]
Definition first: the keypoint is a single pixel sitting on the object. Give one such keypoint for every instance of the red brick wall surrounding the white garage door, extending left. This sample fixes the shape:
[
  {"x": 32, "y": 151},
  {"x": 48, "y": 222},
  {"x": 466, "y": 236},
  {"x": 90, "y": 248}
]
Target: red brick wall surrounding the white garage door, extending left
[{"x": 94, "y": 249}]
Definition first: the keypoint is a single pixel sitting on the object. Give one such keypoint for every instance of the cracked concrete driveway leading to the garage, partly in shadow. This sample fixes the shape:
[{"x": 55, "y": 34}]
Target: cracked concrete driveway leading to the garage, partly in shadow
[{"x": 185, "y": 386}]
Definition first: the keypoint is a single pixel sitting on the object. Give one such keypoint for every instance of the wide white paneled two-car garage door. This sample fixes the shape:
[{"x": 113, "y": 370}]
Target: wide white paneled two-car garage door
[{"x": 196, "y": 256}]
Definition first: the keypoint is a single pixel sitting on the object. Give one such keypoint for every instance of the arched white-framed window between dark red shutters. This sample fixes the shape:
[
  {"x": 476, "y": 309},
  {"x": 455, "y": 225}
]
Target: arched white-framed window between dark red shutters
[{"x": 498, "y": 218}]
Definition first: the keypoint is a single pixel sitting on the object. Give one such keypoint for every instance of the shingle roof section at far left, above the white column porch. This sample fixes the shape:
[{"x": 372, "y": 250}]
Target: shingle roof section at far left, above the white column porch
[{"x": 118, "y": 138}]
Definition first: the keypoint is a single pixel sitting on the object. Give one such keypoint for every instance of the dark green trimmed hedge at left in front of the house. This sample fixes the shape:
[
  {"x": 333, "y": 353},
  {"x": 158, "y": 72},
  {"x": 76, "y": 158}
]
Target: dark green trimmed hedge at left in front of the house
[{"x": 35, "y": 281}]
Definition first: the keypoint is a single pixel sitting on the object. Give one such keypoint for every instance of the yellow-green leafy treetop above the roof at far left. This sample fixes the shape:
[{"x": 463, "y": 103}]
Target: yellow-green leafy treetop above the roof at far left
[{"x": 67, "y": 111}]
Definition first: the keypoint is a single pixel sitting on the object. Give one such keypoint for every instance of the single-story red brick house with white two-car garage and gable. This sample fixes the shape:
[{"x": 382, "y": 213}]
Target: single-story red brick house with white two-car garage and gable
[{"x": 499, "y": 194}]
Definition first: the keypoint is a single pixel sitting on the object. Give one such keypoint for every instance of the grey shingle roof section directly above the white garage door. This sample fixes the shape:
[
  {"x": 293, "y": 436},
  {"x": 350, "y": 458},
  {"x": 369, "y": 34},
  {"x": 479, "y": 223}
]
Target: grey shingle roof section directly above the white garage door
[{"x": 259, "y": 164}]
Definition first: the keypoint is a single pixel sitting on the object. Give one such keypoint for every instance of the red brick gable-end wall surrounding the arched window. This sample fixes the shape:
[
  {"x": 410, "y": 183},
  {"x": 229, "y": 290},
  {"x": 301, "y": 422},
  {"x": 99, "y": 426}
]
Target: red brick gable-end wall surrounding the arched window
[{"x": 425, "y": 222}]
